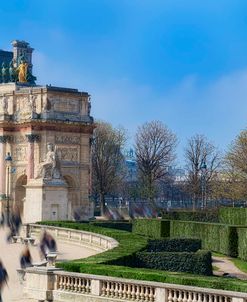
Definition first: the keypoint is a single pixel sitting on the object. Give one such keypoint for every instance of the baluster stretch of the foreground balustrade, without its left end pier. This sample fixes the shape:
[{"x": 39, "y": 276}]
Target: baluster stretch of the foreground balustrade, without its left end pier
[{"x": 140, "y": 291}]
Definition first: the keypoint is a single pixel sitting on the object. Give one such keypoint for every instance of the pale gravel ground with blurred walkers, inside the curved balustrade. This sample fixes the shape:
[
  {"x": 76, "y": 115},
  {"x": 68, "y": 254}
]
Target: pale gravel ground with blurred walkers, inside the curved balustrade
[{"x": 10, "y": 253}]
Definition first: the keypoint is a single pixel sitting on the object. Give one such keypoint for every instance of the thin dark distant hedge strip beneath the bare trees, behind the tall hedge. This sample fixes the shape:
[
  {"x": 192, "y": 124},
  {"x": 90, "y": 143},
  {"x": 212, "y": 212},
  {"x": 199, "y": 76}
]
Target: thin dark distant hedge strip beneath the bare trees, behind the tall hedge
[{"x": 202, "y": 216}]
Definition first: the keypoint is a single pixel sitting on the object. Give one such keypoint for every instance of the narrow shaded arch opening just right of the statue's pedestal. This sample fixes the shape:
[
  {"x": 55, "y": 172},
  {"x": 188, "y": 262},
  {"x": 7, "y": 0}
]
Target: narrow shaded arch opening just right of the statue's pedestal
[{"x": 73, "y": 200}]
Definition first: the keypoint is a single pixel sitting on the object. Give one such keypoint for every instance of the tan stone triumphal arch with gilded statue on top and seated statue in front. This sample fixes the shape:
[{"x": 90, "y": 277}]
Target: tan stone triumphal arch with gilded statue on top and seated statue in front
[{"x": 47, "y": 132}]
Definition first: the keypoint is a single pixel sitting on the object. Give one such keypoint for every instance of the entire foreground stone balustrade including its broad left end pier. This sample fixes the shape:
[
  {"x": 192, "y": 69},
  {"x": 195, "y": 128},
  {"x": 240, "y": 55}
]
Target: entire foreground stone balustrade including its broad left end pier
[{"x": 67, "y": 286}]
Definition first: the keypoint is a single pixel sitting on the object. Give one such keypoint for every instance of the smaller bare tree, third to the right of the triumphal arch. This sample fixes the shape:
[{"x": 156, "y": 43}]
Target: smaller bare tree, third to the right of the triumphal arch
[{"x": 202, "y": 164}]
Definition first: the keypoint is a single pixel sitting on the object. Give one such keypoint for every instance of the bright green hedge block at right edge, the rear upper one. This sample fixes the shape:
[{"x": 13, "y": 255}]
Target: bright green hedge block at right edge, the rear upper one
[{"x": 234, "y": 216}]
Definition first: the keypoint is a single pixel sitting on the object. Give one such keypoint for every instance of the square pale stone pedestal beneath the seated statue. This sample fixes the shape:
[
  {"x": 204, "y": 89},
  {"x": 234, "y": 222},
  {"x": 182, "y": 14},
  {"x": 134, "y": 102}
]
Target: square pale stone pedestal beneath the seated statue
[{"x": 46, "y": 200}]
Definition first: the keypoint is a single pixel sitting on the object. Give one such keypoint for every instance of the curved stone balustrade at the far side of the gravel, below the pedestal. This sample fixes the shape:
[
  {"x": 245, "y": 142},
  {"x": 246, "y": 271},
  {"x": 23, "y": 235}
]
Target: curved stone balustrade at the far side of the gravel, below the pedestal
[{"x": 78, "y": 237}]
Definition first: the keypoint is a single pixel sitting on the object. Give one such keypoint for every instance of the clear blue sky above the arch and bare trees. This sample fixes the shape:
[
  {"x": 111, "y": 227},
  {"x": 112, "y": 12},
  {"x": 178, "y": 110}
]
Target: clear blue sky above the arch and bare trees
[{"x": 181, "y": 62}]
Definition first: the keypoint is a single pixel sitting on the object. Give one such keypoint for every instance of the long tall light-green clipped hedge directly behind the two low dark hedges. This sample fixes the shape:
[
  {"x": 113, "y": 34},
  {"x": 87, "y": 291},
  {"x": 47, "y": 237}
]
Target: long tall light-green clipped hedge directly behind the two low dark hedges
[{"x": 214, "y": 236}]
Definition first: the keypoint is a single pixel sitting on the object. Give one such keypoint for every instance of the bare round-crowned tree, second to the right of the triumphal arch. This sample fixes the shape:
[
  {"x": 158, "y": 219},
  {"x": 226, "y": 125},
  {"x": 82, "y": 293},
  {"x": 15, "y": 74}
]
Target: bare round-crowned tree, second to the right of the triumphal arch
[{"x": 155, "y": 150}]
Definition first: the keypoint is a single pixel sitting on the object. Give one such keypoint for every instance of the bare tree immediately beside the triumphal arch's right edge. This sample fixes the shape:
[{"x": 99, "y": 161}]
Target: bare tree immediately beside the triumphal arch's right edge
[{"x": 107, "y": 160}]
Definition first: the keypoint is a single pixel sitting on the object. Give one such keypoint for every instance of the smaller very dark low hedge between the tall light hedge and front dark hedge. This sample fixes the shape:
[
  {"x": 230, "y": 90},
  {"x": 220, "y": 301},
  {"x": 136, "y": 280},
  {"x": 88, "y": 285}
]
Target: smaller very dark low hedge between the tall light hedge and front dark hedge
[{"x": 174, "y": 245}]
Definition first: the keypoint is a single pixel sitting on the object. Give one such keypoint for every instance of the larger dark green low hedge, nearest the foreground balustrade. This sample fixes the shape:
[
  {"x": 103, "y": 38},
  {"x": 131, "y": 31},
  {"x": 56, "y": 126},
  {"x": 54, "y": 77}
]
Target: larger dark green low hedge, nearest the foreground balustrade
[{"x": 195, "y": 263}]
